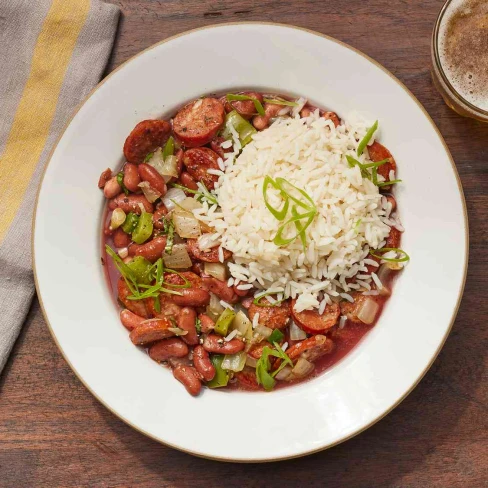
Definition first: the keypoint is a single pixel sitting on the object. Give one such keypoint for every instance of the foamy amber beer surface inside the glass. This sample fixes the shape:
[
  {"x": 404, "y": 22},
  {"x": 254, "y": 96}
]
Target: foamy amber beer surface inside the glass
[{"x": 463, "y": 49}]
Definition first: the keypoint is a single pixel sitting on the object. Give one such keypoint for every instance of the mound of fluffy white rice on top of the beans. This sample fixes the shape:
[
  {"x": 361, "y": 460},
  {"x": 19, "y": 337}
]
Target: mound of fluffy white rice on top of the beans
[{"x": 309, "y": 153}]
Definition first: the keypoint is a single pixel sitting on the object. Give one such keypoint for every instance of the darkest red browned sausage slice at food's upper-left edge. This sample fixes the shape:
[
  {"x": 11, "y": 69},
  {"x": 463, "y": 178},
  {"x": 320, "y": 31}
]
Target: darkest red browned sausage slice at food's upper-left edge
[{"x": 146, "y": 136}]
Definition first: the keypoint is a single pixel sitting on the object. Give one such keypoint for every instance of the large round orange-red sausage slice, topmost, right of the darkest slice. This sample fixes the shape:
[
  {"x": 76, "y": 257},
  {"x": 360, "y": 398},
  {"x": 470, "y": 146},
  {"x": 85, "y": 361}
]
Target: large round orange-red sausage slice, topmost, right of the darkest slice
[{"x": 197, "y": 123}]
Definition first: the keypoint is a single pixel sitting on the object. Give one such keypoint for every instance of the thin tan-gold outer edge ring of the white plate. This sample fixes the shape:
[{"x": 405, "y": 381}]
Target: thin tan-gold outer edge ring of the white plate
[{"x": 460, "y": 291}]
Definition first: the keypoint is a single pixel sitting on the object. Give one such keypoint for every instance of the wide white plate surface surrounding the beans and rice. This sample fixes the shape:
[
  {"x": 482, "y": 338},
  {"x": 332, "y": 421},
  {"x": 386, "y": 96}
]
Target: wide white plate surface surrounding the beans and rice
[{"x": 375, "y": 376}]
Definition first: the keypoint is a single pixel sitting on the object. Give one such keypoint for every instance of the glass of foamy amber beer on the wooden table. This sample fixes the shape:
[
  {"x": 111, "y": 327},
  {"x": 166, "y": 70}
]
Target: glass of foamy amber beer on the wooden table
[{"x": 460, "y": 57}]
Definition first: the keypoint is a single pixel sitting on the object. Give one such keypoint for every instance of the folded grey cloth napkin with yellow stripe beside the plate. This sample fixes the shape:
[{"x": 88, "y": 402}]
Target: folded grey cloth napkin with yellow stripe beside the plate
[{"x": 52, "y": 53}]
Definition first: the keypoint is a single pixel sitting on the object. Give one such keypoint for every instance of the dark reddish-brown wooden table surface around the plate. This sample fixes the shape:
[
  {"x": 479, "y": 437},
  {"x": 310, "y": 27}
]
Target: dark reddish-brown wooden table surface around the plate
[{"x": 54, "y": 433}]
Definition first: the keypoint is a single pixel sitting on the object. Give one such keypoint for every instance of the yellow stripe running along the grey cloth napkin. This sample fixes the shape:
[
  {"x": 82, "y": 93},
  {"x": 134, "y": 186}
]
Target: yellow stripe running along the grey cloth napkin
[{"x": 36, "y": 109}]
